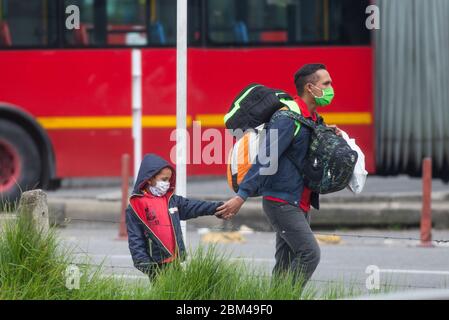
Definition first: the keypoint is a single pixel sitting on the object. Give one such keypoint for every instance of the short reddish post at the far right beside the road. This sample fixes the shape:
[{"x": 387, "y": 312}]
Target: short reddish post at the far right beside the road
[{"x": 426, "y": 214}]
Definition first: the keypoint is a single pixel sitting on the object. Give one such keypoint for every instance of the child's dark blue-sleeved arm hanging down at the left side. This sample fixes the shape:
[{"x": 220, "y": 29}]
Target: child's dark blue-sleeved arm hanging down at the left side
[{"x": 136, "y": 242}]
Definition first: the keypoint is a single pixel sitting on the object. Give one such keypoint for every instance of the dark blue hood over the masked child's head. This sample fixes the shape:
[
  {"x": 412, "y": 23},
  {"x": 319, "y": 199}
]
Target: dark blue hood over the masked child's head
[{"x": 150, "y": 166}]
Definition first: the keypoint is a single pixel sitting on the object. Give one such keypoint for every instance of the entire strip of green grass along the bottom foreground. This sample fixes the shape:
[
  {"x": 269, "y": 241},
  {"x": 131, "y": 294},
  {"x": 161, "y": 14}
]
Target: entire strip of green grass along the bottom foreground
[{"x": 33, "y": 265}]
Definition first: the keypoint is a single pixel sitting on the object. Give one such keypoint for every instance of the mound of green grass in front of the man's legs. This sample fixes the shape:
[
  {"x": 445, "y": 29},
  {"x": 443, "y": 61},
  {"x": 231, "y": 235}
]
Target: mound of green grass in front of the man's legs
[{"x": 210, "y": 275}]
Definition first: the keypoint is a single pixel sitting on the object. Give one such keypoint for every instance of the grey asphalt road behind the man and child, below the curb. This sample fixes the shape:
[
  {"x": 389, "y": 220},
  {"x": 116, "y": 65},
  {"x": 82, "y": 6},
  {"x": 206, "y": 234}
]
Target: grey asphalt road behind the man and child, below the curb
[{"x": 403, "y": 264}]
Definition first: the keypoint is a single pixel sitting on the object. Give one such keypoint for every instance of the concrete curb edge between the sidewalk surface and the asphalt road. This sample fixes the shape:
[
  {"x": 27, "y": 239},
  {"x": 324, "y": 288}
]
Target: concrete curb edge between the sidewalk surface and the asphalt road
[{"x": 330, "y": 216}]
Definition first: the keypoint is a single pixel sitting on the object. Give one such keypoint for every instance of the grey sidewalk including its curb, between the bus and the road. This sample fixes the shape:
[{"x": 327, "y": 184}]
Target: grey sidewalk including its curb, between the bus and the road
[{"x": 386, "y": 202}]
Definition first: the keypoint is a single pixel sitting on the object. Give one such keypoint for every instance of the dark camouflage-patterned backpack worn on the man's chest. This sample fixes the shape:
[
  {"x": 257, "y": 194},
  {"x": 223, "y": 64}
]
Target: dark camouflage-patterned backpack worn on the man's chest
[{"x": 330, "y": 161}]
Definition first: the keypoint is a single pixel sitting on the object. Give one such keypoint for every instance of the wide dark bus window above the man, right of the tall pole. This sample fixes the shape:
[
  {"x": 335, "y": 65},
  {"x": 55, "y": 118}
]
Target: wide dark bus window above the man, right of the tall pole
[{"x": 288, "y": 22}]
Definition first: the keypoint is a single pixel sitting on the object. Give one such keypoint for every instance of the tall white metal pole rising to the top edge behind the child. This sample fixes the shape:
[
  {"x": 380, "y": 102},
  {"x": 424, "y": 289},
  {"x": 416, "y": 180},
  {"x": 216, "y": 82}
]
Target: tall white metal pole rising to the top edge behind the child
[{"x": 181, "y": 102}]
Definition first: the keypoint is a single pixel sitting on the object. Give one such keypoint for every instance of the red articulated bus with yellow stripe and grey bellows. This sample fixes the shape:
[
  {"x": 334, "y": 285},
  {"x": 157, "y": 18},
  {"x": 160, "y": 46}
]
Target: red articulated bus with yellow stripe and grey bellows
[{"x": 65, "y": 94}]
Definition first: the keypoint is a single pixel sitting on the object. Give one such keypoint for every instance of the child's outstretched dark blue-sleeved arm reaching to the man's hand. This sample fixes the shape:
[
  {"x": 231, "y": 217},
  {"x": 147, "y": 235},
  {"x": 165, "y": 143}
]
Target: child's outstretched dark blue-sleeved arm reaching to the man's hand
[{"x": 190, "y": 208}]
